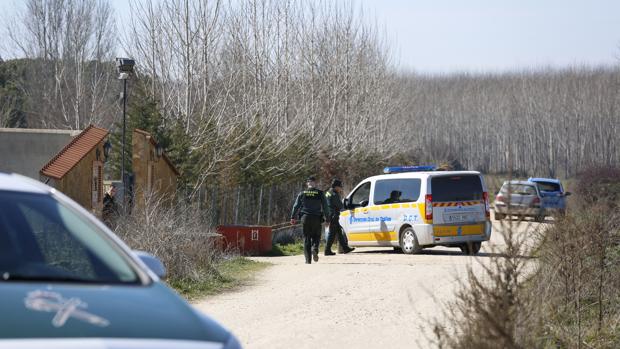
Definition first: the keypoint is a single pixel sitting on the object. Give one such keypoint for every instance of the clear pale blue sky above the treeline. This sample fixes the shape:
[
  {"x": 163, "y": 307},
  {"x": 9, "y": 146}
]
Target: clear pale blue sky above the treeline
[{"x": 444, "y": 36}]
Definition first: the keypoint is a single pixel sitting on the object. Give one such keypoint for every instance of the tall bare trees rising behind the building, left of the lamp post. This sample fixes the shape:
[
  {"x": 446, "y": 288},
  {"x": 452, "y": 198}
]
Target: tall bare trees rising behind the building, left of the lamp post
[{"x": 70, "y": 43}]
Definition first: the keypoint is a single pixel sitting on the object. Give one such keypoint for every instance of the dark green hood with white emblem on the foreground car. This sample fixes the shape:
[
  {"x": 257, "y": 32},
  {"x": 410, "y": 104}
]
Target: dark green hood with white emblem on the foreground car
[{"x": 41, "y": 310}]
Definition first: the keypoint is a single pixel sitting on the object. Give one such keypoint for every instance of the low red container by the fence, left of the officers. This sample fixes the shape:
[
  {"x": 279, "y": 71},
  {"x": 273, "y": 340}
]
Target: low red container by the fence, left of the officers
[{"x": 247, "y": 239}]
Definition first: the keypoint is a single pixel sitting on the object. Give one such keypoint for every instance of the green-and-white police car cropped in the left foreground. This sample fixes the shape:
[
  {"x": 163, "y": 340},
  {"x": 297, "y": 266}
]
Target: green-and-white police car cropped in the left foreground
[{"x": 66, "y": 281}]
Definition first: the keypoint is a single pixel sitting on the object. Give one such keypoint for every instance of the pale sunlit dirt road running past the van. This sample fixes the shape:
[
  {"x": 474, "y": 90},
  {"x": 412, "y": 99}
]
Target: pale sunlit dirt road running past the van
[{"x": 371, "y": 298}]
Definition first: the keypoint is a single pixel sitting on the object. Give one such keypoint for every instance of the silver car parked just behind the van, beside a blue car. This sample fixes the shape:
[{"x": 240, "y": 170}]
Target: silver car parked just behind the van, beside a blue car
[{"x": 519, "y": 198}]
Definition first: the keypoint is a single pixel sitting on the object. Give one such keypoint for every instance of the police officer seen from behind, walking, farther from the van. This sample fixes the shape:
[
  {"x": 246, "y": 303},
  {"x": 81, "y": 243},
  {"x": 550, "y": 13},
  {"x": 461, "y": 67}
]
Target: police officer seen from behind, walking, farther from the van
[{"x": 311, "y": 205}]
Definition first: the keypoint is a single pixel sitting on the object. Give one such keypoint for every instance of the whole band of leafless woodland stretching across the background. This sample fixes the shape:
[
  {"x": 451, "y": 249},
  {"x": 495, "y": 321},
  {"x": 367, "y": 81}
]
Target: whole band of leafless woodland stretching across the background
[{"x": 250, "y": 97}]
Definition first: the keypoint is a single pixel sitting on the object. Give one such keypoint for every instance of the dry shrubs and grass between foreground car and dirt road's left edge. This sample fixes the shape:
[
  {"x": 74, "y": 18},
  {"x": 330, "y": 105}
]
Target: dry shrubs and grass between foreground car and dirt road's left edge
[{"x": 193, "y": 254}]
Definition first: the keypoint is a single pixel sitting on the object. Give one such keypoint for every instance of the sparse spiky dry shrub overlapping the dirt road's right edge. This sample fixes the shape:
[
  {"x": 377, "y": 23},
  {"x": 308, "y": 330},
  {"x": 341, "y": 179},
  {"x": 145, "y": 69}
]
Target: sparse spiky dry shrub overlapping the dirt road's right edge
[{"x": 491, "y": 309}]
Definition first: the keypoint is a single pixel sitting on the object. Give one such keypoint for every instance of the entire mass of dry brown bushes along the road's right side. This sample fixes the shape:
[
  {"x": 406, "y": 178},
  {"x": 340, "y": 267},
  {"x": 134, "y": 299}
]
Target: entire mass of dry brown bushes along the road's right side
[{"x": 560, "y": 293}]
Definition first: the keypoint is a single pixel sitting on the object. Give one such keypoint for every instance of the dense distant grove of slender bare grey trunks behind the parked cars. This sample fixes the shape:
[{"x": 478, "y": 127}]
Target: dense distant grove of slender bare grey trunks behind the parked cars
[{"x": 555, "y": 122}]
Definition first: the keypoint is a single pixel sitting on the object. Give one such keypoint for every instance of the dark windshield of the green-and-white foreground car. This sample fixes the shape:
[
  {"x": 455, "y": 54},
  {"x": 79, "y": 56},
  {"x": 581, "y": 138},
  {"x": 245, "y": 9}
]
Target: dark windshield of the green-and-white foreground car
[{"x": 43, "y": 240}]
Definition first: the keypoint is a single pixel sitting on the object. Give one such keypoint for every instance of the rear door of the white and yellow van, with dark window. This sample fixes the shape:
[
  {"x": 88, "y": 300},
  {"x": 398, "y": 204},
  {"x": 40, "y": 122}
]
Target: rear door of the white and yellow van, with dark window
[{"x": 458, "y": 200}]
